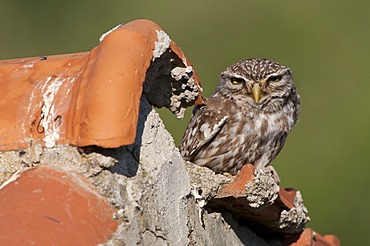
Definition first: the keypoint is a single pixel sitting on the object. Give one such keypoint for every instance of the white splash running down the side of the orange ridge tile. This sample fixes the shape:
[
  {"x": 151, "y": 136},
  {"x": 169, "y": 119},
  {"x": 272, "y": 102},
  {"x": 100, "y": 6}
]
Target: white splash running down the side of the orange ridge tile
[{"x": 48, "y": 113}]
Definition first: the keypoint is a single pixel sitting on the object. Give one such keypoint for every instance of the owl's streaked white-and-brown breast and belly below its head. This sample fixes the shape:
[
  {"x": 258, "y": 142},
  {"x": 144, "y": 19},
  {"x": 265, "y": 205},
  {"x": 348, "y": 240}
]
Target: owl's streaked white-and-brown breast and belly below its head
[{"x": 248, "y": 136}]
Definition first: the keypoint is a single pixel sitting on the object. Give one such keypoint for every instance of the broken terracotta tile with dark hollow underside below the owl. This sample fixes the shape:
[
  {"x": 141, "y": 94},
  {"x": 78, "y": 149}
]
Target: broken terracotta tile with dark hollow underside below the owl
[{"x": 234, "y": 197}]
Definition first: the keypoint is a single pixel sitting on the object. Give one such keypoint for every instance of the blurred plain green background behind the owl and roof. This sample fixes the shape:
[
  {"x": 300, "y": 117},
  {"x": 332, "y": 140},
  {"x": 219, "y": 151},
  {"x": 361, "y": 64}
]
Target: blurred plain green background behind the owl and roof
[{"x": 326, "y": 43}]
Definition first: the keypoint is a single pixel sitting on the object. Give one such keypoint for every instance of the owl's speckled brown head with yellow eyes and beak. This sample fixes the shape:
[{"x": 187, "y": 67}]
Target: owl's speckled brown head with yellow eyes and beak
[{"x": 257, "y": 80}]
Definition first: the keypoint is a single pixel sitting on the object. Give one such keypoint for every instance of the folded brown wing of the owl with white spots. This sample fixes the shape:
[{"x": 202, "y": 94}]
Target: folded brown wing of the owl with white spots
[{"x": 205, "y": 124}]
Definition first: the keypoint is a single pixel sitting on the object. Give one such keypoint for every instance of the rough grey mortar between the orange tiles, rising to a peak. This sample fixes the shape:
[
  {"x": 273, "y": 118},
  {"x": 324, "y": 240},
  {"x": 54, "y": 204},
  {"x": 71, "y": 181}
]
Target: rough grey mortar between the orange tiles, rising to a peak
[{"x": 150, "y": 185}]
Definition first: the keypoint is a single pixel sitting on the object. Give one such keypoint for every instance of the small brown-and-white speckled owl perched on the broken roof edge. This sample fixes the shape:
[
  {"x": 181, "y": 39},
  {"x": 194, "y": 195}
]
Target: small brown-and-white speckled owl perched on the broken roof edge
[{"x": 246, "y": 119}]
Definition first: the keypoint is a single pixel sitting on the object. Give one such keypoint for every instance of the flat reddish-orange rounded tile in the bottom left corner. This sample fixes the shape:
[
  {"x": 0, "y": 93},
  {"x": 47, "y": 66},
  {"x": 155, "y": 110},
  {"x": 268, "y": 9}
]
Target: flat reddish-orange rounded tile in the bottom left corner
[{"x": 63, "y": 205}]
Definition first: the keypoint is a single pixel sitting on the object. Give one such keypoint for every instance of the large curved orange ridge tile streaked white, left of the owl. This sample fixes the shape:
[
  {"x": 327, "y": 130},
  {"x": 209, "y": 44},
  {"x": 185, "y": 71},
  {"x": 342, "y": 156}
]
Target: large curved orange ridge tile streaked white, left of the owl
[{"x": 89, "y": 98}]
